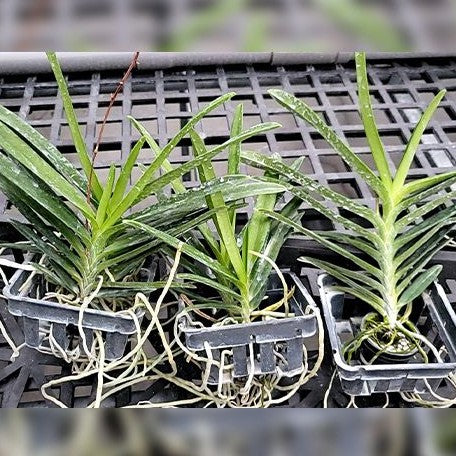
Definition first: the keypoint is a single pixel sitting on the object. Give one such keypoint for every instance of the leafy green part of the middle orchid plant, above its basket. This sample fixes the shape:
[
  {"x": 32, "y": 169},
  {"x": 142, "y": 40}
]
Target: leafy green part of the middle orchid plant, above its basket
[{"x": 235, "y": 266}]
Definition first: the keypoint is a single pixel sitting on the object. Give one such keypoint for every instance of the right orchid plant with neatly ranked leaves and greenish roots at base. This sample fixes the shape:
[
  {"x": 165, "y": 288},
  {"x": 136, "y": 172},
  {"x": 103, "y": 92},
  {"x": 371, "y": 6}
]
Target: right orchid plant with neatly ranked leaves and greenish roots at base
[{"x": 387, "y": 260}]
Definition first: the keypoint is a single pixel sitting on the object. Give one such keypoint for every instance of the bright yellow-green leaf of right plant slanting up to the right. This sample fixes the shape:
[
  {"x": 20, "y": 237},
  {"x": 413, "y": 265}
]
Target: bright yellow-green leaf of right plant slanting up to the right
[{"x": 414, "y": 141}]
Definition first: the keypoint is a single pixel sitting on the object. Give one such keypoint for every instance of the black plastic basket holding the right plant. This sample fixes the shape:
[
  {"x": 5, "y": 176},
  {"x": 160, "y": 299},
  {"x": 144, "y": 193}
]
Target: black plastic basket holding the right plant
[{"x": 437, "y": 321}]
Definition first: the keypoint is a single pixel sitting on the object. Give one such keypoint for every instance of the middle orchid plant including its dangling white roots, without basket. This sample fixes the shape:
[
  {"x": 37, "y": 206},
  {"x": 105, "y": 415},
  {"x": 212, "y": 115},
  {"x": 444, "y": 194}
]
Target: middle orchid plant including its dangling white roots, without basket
[{"x": 235, "y": 266}]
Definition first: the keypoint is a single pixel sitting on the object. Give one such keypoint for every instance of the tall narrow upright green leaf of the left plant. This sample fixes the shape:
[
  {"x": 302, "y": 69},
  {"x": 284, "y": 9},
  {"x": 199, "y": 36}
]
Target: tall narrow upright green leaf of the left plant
[{"x": 74, "y": 126}]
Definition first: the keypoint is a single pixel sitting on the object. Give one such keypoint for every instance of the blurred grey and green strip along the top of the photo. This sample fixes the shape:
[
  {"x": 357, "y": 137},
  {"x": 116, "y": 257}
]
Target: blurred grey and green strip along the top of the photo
[{"x": 228, "y": 25}]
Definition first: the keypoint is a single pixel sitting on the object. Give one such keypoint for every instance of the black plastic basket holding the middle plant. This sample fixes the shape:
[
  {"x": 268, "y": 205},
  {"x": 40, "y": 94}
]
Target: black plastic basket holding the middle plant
[{"x": 287, "y": 335}]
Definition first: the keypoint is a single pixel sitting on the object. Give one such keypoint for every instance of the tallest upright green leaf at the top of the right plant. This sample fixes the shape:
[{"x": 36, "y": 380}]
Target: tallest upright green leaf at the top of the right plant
[{"x": 367, "y": 116}]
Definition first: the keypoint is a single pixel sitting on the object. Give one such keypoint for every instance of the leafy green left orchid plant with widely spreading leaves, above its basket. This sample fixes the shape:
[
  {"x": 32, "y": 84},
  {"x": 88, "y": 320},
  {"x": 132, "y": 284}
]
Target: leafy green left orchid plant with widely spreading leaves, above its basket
[{"x": 76, "y": 221}]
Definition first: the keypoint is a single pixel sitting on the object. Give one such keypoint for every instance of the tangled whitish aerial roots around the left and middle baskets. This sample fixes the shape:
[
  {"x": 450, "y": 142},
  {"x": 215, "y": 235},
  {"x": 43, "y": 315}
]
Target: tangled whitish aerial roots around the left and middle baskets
[{"x": 136, "y": 367}]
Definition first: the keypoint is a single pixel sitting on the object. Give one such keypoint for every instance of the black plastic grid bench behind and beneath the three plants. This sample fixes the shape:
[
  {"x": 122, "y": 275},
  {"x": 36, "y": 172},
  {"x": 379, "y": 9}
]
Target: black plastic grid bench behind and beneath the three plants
[{"x": 164, "y": 100}]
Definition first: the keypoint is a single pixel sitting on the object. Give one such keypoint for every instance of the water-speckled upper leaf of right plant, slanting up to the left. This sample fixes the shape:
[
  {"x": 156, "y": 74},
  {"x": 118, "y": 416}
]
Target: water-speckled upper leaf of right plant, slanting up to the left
[{"x": 298, "y": 107}]
